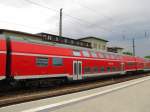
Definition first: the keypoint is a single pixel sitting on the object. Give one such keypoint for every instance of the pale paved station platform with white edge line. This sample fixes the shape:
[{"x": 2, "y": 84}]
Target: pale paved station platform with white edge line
[{"x": 129, "y": 96}]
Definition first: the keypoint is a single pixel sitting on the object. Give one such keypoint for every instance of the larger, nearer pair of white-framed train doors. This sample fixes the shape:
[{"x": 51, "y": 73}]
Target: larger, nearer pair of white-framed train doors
[{"x": 77, "y": 70}]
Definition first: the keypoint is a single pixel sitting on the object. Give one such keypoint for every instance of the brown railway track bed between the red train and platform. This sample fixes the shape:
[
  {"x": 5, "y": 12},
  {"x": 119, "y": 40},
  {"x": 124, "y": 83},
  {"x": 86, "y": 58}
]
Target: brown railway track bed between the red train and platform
[{"x": 24, "y": 95}]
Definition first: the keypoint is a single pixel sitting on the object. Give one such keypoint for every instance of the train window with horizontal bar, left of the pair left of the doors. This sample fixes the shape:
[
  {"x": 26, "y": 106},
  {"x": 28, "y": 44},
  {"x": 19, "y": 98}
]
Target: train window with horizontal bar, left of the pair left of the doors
[{"x": 41, "y": 61}]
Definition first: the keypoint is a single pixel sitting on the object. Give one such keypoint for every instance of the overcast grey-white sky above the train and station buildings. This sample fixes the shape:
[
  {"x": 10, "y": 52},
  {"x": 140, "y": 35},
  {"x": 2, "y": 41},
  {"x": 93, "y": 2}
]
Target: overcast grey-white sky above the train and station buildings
[{"x": 115, "y": 20}]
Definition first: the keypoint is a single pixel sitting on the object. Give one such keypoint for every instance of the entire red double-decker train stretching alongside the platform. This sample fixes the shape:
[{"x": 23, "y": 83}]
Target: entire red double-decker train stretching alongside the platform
[{"x": 25, "y": 59}]
